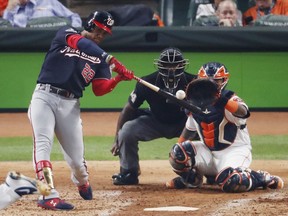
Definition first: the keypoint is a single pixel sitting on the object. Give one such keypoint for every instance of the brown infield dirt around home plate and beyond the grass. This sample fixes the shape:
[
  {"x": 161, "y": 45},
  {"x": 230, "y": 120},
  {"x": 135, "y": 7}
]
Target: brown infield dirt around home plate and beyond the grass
[{"x": 150, "y": 193}]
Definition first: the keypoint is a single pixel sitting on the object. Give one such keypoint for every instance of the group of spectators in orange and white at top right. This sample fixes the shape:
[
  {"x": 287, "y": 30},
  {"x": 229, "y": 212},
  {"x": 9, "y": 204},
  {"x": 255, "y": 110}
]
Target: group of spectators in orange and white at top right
[{"x": 226, "y": 13}]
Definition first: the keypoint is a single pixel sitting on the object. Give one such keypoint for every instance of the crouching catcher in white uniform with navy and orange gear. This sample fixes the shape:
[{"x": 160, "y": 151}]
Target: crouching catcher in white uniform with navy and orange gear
[{"x": 225, "y": 148}]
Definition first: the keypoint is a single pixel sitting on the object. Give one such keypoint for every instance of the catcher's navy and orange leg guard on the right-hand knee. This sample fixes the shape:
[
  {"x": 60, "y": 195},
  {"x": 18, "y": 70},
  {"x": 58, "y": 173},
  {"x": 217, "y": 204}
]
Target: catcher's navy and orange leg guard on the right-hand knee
[{"x": 233, "y": 180}]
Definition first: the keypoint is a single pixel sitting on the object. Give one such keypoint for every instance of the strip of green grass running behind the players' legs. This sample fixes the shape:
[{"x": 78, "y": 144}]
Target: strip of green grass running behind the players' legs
[{"x": 98, "y": 148}]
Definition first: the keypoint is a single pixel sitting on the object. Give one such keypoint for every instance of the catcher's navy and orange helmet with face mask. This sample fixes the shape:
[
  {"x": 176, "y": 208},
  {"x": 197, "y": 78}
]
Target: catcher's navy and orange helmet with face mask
[{"x": 216, "y": 71}]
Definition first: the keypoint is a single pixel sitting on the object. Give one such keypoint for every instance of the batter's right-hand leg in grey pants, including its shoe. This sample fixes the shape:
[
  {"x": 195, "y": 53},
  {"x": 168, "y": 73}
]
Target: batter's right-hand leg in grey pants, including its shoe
[{"x": 69, "y": 133}]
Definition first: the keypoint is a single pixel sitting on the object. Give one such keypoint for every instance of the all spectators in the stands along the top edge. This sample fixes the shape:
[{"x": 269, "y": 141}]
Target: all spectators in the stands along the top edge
[{"x": 52, "y": 13}]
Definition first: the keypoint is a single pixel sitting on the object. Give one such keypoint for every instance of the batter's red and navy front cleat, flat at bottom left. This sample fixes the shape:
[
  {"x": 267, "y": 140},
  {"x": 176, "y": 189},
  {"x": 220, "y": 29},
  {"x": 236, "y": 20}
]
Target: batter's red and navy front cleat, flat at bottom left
[{"x": 55, "y": 204}]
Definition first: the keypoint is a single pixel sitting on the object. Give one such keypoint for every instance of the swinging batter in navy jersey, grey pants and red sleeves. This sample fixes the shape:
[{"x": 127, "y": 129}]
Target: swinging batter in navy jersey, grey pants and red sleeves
[{"x": 73, "y": 62}]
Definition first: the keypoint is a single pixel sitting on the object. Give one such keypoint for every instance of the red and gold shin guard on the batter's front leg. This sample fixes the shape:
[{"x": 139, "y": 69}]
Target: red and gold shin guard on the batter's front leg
[{"x": 44, "y": 172}]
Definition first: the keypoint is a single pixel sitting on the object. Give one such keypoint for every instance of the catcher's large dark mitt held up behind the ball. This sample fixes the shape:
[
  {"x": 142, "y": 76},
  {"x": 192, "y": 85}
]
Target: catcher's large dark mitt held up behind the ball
[{"x": 202, "y": 92}]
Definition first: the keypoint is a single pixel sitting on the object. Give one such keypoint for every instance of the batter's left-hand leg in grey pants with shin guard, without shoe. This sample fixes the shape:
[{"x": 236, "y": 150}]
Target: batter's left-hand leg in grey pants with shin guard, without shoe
[{"x": 43, "y": 134}]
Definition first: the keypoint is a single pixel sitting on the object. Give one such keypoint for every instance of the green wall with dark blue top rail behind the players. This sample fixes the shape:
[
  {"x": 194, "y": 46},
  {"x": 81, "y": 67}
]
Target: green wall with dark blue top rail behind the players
[{"x": 256, "y": 56}]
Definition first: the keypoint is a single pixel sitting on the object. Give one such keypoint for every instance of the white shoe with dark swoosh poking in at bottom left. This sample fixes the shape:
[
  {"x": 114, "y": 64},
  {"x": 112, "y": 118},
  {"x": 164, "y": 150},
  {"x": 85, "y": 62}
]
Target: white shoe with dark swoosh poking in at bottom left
[{"x": 21, "y": 184}]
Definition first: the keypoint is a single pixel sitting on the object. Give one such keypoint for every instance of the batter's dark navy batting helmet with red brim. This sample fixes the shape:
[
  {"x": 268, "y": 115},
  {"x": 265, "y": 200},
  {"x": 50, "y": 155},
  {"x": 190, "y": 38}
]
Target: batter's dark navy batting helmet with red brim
[{"x": 101, "y": 19}]
